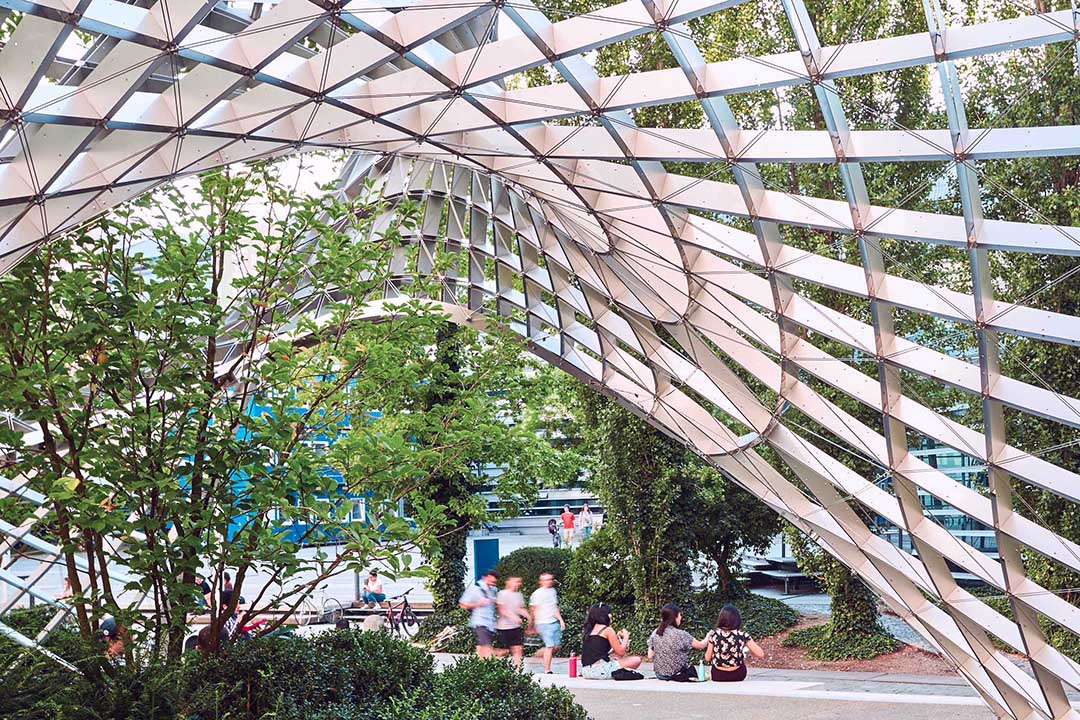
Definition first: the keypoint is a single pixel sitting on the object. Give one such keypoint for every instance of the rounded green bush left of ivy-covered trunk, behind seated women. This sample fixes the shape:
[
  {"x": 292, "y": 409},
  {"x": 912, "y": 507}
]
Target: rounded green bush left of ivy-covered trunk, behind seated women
[{"x": 599, "y": 573}]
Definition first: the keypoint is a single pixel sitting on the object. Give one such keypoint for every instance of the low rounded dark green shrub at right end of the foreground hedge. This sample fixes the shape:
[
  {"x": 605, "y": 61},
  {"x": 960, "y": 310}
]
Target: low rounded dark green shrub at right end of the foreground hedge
[{"x": 472, "y": 689}]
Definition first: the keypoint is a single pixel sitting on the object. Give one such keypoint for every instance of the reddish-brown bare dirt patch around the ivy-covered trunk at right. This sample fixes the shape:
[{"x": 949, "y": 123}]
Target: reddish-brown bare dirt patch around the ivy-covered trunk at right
[{"x": 908, "y": 660}]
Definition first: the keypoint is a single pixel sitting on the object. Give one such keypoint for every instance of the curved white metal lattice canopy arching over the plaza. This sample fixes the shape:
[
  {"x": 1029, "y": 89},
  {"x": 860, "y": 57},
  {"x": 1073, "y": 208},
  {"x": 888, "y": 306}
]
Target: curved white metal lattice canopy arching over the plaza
[{"x": 618, "y": 270}]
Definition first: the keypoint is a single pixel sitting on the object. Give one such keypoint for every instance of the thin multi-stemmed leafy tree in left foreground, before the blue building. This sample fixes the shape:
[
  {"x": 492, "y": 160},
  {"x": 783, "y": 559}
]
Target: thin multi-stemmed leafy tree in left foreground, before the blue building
[{"x": 185, "y": 359}]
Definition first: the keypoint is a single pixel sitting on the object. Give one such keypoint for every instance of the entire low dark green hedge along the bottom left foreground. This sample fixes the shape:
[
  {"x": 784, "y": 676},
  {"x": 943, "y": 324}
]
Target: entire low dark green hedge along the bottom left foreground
[{"x": 343, "y": 675}]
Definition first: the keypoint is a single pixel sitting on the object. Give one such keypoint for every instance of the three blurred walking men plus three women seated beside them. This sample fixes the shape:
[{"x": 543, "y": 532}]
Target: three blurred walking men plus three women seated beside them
[{"x": 604, "y": 650}]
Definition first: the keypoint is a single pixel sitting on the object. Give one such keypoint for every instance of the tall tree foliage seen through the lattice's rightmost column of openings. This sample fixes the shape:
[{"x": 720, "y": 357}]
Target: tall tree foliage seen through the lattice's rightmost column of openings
[{"x": 1034, "y": 88}]
